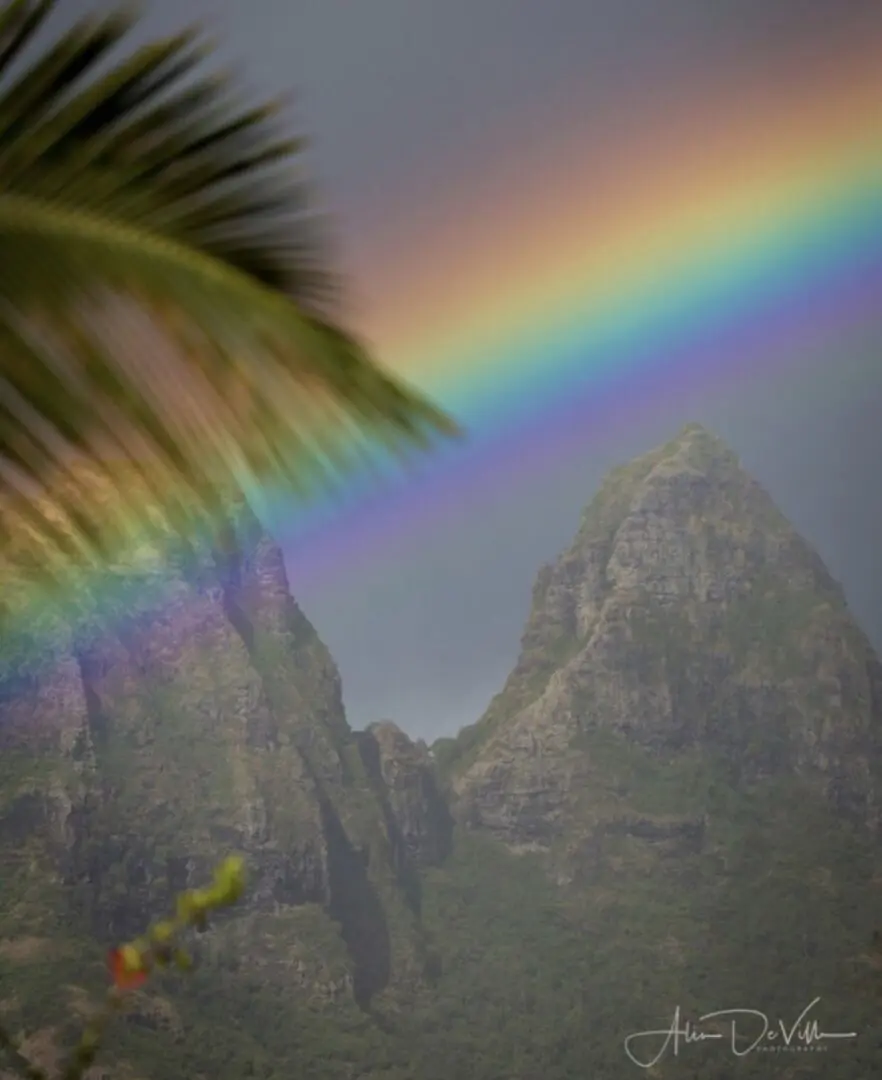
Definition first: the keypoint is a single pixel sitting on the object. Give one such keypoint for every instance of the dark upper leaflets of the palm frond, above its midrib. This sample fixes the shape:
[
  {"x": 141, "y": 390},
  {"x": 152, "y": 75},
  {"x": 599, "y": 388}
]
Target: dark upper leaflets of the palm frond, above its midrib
[{"x": 174, "y": 152}]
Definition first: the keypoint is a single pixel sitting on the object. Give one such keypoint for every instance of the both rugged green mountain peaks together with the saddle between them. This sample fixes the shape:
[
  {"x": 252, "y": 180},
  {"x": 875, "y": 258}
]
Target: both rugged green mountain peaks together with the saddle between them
[{"x": 673, "y": 802}]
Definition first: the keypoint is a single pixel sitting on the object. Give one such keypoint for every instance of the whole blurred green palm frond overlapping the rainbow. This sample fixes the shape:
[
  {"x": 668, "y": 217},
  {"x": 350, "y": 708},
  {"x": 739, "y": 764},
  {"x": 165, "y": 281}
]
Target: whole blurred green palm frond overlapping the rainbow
[{"x": 168, "y": 339}]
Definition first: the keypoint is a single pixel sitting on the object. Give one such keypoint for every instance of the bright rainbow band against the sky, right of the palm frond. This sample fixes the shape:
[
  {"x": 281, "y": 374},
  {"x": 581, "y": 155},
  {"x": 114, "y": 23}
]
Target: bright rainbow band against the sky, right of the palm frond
[{"x": 729, "y": 240}]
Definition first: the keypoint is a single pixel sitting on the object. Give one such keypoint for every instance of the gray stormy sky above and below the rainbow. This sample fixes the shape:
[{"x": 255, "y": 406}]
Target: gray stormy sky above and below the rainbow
[{"x": 402, "y": 92}]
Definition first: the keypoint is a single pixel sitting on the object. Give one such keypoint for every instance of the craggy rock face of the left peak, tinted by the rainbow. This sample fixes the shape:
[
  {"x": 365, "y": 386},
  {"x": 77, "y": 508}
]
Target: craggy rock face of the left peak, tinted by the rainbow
[{"x": 138, "y": 759}]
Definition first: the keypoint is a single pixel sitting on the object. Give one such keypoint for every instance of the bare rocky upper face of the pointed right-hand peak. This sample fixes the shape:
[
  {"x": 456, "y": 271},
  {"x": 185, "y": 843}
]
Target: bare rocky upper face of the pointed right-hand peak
[{"x": 686, "y": 617}]
